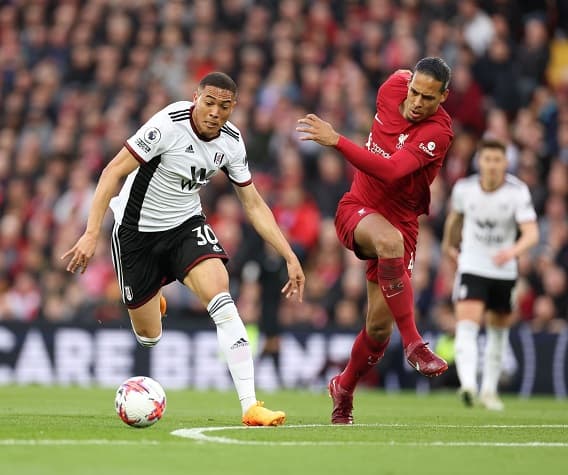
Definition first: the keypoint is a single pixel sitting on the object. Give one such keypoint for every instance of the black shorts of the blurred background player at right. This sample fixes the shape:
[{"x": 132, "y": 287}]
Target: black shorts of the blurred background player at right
[{"x": 496, "y": 293}]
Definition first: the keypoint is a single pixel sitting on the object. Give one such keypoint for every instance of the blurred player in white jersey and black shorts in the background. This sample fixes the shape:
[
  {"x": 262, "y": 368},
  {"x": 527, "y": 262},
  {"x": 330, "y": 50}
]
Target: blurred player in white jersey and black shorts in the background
[{"x": 481, "y": 234}]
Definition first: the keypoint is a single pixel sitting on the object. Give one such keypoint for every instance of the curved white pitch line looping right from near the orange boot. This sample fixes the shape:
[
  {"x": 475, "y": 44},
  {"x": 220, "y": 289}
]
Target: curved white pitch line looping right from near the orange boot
[{"x": 199, "y": 434}]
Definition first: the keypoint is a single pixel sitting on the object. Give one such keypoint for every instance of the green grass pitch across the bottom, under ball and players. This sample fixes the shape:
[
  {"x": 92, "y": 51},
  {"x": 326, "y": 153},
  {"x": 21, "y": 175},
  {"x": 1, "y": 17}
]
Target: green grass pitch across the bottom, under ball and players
[{"x": 76, "y": 431}]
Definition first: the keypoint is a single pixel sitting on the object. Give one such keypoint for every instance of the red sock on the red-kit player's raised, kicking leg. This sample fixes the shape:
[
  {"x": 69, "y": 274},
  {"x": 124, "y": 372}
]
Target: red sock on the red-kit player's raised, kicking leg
[{"x": 397, "y": 289}]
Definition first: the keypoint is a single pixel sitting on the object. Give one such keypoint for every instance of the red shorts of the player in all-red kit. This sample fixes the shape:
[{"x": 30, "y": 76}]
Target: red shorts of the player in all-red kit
[{"x": 350, "y": 212}]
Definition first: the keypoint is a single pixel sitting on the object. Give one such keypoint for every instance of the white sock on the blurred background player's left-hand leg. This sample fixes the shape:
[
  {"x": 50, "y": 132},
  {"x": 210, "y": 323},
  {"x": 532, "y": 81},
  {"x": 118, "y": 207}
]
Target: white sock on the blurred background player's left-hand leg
[{"x": 467, "y": 353}]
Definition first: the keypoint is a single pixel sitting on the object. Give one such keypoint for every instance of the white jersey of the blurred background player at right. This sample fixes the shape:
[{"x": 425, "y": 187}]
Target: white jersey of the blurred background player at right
[{"x": 490, "y": 224}]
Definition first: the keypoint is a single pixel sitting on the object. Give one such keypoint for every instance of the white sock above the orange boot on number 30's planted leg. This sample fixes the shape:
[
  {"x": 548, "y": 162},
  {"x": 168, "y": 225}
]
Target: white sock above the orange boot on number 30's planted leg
[{"x": 233, "y": 341}]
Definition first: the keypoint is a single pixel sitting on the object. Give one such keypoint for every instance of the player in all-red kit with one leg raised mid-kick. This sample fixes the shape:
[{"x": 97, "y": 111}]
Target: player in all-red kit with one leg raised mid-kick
[{"x": 378, "y": 217}]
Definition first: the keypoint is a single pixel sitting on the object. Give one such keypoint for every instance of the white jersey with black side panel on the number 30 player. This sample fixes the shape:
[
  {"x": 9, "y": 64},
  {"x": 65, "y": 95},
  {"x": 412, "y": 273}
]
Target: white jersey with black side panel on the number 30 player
[{"x": 175, "y": 162}]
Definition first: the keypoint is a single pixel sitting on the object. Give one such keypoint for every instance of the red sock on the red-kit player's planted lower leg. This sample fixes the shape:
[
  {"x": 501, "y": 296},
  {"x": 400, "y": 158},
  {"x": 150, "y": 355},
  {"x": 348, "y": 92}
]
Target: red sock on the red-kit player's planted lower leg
[{"x": 365, "y": 354}]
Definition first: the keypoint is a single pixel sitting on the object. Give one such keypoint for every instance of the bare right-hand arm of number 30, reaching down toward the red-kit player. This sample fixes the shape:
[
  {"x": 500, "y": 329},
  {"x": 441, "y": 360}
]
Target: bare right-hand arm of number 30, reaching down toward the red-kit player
[{"x": 262, "y": 219}]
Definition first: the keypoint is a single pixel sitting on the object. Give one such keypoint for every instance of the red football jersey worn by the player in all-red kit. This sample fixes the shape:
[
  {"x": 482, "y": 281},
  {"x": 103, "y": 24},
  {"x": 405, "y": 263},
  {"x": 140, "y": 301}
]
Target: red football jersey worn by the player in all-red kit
[{"x": 392, "y": 136}]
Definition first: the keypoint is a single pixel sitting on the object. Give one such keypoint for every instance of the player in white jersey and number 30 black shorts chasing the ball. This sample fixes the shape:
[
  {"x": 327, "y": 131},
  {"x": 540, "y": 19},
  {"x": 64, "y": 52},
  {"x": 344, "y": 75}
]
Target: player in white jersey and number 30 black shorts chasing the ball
[{"x": 161, "y": 235}]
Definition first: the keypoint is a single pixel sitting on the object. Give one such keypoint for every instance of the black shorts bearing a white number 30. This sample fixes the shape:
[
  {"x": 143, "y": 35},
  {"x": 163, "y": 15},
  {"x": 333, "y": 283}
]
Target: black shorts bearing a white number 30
[{"x": 146, "y": 261}]
